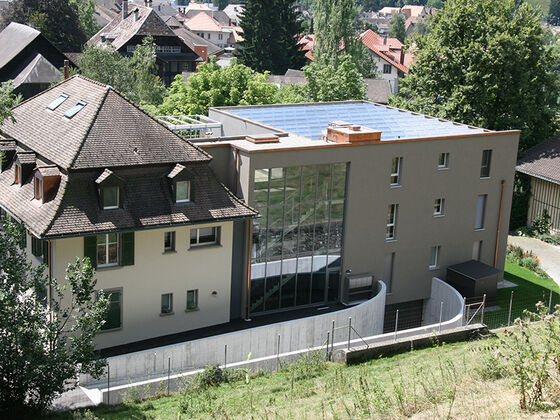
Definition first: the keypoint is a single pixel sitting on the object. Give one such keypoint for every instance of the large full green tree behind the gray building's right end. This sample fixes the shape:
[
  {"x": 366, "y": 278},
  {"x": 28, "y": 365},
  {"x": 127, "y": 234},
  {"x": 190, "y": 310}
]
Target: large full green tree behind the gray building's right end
[{"x": 485, "y": 63}]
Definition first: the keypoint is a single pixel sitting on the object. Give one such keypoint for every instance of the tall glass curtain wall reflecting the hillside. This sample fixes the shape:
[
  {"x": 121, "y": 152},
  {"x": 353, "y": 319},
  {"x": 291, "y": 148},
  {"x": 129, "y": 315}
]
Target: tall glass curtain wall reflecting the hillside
[{"x": 297, "y": 242}]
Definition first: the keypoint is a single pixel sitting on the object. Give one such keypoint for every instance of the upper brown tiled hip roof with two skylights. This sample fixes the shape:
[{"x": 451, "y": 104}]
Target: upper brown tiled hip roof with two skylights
[{"x": 109, "y": 131}]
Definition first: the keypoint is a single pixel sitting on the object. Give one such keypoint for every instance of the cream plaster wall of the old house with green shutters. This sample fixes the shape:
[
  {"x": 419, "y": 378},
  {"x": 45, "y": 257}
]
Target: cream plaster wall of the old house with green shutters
[{"x": 155, "y": 272}]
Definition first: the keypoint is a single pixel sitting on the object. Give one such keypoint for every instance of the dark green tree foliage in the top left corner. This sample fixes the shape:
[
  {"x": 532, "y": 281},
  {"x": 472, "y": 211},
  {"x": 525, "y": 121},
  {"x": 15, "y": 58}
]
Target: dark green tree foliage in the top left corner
[{"x": 58, "y": 20}]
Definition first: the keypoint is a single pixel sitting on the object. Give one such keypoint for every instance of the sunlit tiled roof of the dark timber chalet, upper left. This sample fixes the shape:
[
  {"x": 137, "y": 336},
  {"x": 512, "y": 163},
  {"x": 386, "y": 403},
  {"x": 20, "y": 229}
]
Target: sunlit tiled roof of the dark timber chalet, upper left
[{"x": 148, "y": 23}]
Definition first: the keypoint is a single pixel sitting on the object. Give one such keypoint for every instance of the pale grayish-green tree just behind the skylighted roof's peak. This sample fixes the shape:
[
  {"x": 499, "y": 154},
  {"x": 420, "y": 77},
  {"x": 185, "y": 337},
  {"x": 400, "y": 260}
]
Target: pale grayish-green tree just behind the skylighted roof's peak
[{"x": 136, "y": 77}]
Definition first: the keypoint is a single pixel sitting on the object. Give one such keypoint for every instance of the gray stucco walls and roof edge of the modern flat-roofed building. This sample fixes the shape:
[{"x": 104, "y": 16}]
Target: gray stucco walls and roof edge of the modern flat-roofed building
[{"x": 422, "y": 181}]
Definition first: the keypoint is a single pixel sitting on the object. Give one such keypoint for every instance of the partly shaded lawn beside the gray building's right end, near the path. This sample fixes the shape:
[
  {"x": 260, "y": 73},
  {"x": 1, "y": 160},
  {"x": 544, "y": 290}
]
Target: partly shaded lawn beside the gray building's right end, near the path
[{"x": 529, "y": 290}]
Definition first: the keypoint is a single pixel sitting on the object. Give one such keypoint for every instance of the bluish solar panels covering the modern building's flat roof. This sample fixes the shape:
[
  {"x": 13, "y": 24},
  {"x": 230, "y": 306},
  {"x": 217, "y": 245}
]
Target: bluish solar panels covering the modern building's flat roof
[{"x": 312, "y": 120}]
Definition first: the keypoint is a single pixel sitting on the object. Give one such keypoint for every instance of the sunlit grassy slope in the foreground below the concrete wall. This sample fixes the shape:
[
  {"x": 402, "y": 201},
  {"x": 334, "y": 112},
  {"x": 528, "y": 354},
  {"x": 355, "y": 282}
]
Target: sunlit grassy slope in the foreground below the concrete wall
[{"x": 439, "y": 382}]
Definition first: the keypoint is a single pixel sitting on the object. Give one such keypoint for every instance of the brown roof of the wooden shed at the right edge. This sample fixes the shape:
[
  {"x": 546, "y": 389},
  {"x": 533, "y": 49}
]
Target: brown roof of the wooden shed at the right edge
[{"x": 542, "y": 160}]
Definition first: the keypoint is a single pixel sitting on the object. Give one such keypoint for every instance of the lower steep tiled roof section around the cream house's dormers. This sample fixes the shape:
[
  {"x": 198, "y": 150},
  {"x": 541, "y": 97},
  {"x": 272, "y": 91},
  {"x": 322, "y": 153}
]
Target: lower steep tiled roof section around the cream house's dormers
[{"x": 147, "y": 202}]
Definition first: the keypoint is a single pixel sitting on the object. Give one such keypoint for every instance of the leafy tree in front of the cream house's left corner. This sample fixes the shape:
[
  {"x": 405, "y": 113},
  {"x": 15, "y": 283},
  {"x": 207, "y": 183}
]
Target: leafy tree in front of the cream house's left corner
[{"x": 44, "y": 345}]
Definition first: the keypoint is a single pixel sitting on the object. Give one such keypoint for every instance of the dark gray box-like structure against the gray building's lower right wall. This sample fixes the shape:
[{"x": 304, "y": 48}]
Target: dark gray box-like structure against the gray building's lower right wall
[{"x": 474, "y": 279}]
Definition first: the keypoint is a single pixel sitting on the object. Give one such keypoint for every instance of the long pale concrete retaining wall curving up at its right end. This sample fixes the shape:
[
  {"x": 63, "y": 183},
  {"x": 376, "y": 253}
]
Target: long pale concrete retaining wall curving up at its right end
[{"x": 254, "y": 343}]
